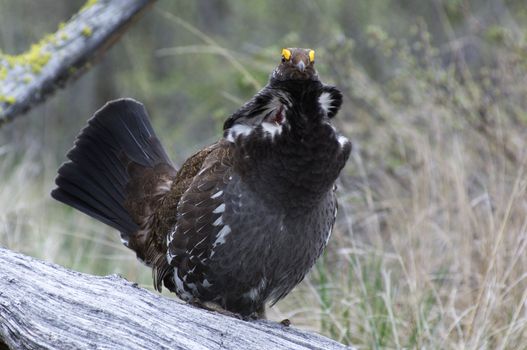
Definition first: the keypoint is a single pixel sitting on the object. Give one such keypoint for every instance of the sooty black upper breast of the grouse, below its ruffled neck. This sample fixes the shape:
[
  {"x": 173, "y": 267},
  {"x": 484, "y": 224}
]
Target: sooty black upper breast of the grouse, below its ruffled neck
[{"x": 293, "y": 168}]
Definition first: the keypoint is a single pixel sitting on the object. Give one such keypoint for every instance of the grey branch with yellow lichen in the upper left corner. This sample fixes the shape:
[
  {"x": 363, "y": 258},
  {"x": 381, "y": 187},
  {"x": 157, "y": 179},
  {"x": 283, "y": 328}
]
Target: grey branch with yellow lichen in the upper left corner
[{"x": 29, "y": 78}]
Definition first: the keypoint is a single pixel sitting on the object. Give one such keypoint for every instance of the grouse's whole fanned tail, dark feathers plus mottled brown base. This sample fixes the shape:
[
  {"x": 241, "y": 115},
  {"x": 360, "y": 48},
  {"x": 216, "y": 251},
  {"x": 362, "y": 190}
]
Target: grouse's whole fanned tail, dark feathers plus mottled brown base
[{"x": 117, "y": 172}]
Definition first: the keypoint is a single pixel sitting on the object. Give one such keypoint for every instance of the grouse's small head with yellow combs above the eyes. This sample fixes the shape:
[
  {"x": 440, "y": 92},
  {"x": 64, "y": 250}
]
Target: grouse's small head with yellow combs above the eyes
[{"x": 296, "y": 64}]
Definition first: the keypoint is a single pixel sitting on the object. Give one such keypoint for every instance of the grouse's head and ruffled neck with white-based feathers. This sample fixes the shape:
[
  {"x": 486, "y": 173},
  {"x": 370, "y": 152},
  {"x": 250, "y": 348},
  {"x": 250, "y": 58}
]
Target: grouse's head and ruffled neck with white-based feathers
[{"x": 294, "y": 97}]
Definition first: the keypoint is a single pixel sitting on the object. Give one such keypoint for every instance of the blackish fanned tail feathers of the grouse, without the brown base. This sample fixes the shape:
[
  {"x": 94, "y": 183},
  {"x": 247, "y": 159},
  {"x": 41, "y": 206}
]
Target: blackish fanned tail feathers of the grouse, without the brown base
[{"x": 118, "y": 137}]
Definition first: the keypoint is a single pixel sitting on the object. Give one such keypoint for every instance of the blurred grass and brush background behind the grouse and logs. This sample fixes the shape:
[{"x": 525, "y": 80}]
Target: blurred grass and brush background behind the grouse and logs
[{"x": 429, "y": 250}]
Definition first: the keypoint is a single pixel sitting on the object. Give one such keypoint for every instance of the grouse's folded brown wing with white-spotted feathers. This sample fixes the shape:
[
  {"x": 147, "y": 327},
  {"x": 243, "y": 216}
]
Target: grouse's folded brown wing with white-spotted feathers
[{"x": 199, "y": 208}]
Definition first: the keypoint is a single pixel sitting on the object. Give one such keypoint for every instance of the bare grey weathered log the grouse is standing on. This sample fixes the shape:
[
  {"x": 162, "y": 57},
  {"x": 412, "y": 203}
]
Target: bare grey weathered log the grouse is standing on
[{"x": 45, "y": 306}]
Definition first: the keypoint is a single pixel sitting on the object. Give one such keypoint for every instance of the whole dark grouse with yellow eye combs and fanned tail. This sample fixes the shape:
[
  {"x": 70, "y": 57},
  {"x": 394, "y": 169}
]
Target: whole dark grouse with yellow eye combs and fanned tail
[{"x": 243, "y": 220}]
